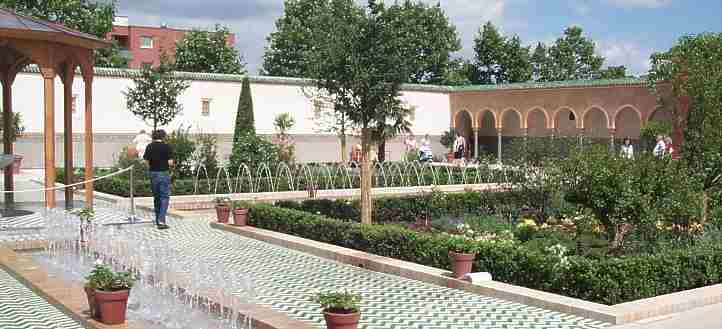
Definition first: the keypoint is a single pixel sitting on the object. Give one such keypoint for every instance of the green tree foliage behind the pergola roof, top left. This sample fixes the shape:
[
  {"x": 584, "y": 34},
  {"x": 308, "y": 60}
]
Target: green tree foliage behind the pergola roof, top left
[{"x": 92, "y": 17}]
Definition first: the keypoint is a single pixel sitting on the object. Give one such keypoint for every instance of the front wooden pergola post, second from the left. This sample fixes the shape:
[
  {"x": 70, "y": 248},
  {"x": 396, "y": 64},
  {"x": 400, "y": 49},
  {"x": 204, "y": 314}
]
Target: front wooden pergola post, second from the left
[{"x": 49, "y": 131}]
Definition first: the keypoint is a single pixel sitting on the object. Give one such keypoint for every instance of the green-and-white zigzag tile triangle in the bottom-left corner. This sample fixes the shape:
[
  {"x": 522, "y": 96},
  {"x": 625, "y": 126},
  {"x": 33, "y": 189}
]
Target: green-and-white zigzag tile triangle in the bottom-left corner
[{"x": 21, "y": 308}]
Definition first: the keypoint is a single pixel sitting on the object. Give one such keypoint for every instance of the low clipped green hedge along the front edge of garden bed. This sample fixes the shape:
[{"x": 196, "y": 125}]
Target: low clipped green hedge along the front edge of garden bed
[{"x": 602, "y": 280}]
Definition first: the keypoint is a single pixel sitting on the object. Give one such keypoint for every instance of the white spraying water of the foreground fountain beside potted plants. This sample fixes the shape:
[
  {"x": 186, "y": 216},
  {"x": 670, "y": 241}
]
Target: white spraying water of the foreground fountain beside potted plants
[{"x": 174, "y": 291}]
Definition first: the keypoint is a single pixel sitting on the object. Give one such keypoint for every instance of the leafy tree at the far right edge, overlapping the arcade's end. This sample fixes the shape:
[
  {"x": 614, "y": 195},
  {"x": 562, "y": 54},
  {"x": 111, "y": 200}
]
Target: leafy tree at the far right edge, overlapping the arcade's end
[{"x": 694, "y": 69}]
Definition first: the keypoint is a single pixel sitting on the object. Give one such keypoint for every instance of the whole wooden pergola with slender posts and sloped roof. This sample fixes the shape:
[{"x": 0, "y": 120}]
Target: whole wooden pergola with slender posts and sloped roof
[{"x": 57, "y": 51}]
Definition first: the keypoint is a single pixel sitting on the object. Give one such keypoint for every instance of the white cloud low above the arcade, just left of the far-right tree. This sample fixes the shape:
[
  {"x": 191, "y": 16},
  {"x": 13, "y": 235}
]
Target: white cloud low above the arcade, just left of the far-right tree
[{"x": 628, "y": 53}]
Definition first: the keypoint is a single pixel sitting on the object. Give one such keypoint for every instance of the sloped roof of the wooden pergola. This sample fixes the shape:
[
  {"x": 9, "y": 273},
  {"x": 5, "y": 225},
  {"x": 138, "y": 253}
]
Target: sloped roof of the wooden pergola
[{"x": 24, "y": 27}]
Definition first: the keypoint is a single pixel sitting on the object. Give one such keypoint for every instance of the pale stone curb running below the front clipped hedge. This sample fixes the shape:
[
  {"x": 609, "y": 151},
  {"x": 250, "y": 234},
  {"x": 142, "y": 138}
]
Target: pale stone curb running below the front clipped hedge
[{"x": 615, "y": 314}]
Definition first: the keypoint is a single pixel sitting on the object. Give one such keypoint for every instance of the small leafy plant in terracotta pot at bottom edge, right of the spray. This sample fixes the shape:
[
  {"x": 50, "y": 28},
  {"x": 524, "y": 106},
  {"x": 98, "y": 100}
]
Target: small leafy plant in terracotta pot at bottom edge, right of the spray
[{"x": 340, "y": 309}]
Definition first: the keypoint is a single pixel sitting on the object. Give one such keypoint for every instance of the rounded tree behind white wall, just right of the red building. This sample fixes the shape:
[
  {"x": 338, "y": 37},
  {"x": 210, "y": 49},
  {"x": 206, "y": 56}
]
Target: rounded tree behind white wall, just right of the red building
[{"x": 208, "y": 51}]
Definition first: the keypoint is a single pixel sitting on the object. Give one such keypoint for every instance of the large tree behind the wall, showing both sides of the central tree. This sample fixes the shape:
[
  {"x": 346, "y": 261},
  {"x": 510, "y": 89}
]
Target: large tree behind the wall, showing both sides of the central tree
[{"x": 425, "y": 34}]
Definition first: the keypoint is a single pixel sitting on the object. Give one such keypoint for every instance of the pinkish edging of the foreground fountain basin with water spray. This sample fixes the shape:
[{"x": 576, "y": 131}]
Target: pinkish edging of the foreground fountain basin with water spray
[{"x": 71, "y": 299}]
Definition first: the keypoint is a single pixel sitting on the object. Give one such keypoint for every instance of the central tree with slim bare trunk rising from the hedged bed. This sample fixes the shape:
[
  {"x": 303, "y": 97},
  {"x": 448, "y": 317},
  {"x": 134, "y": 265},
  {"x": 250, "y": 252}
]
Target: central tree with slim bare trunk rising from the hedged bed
[{"x": 361, "y": 62}]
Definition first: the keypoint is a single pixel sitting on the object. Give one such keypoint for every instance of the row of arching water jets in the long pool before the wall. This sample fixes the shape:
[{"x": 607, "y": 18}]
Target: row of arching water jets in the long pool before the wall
[{"x": 282, "y": 177}]
